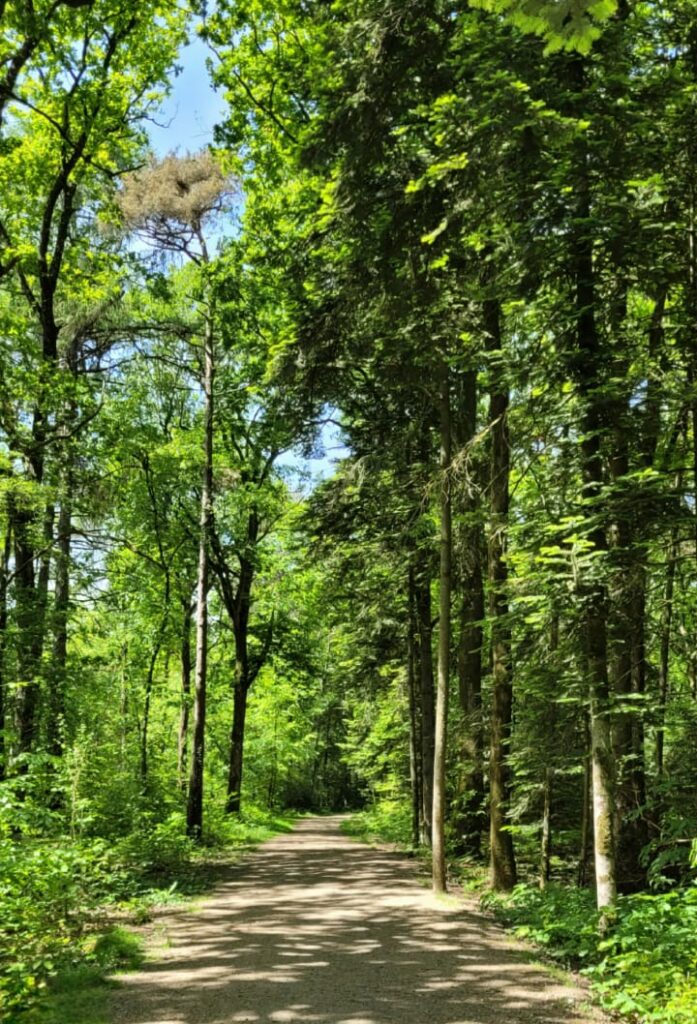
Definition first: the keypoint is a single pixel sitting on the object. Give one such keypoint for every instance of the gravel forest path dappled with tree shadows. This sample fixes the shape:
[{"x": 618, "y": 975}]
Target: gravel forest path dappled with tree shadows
[{"x": 317, "y": 928}]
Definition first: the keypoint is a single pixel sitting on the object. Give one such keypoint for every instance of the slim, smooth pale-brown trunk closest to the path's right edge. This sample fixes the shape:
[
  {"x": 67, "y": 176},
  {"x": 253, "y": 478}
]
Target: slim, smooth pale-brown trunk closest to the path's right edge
[{"x": 441, "y": 738}]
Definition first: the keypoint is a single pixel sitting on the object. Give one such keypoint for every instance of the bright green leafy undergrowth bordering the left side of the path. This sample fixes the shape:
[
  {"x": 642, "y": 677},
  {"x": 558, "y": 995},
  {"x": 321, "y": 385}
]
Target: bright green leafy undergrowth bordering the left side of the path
[{"x": 58, "y": 898}]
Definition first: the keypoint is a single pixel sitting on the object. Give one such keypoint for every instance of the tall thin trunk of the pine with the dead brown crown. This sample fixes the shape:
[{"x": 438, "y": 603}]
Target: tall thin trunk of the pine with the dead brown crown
[{"x": 195, "y": 804}]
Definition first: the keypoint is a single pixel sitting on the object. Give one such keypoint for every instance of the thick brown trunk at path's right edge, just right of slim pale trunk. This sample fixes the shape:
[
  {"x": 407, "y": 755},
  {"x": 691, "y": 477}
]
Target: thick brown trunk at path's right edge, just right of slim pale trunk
[{"x": 503, "y": 862}]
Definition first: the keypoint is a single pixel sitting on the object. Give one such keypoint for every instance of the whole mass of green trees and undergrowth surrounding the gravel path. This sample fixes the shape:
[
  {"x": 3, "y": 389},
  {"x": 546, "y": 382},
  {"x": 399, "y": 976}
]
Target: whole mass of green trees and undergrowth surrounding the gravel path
[{"x": 453, "y": 244}]
